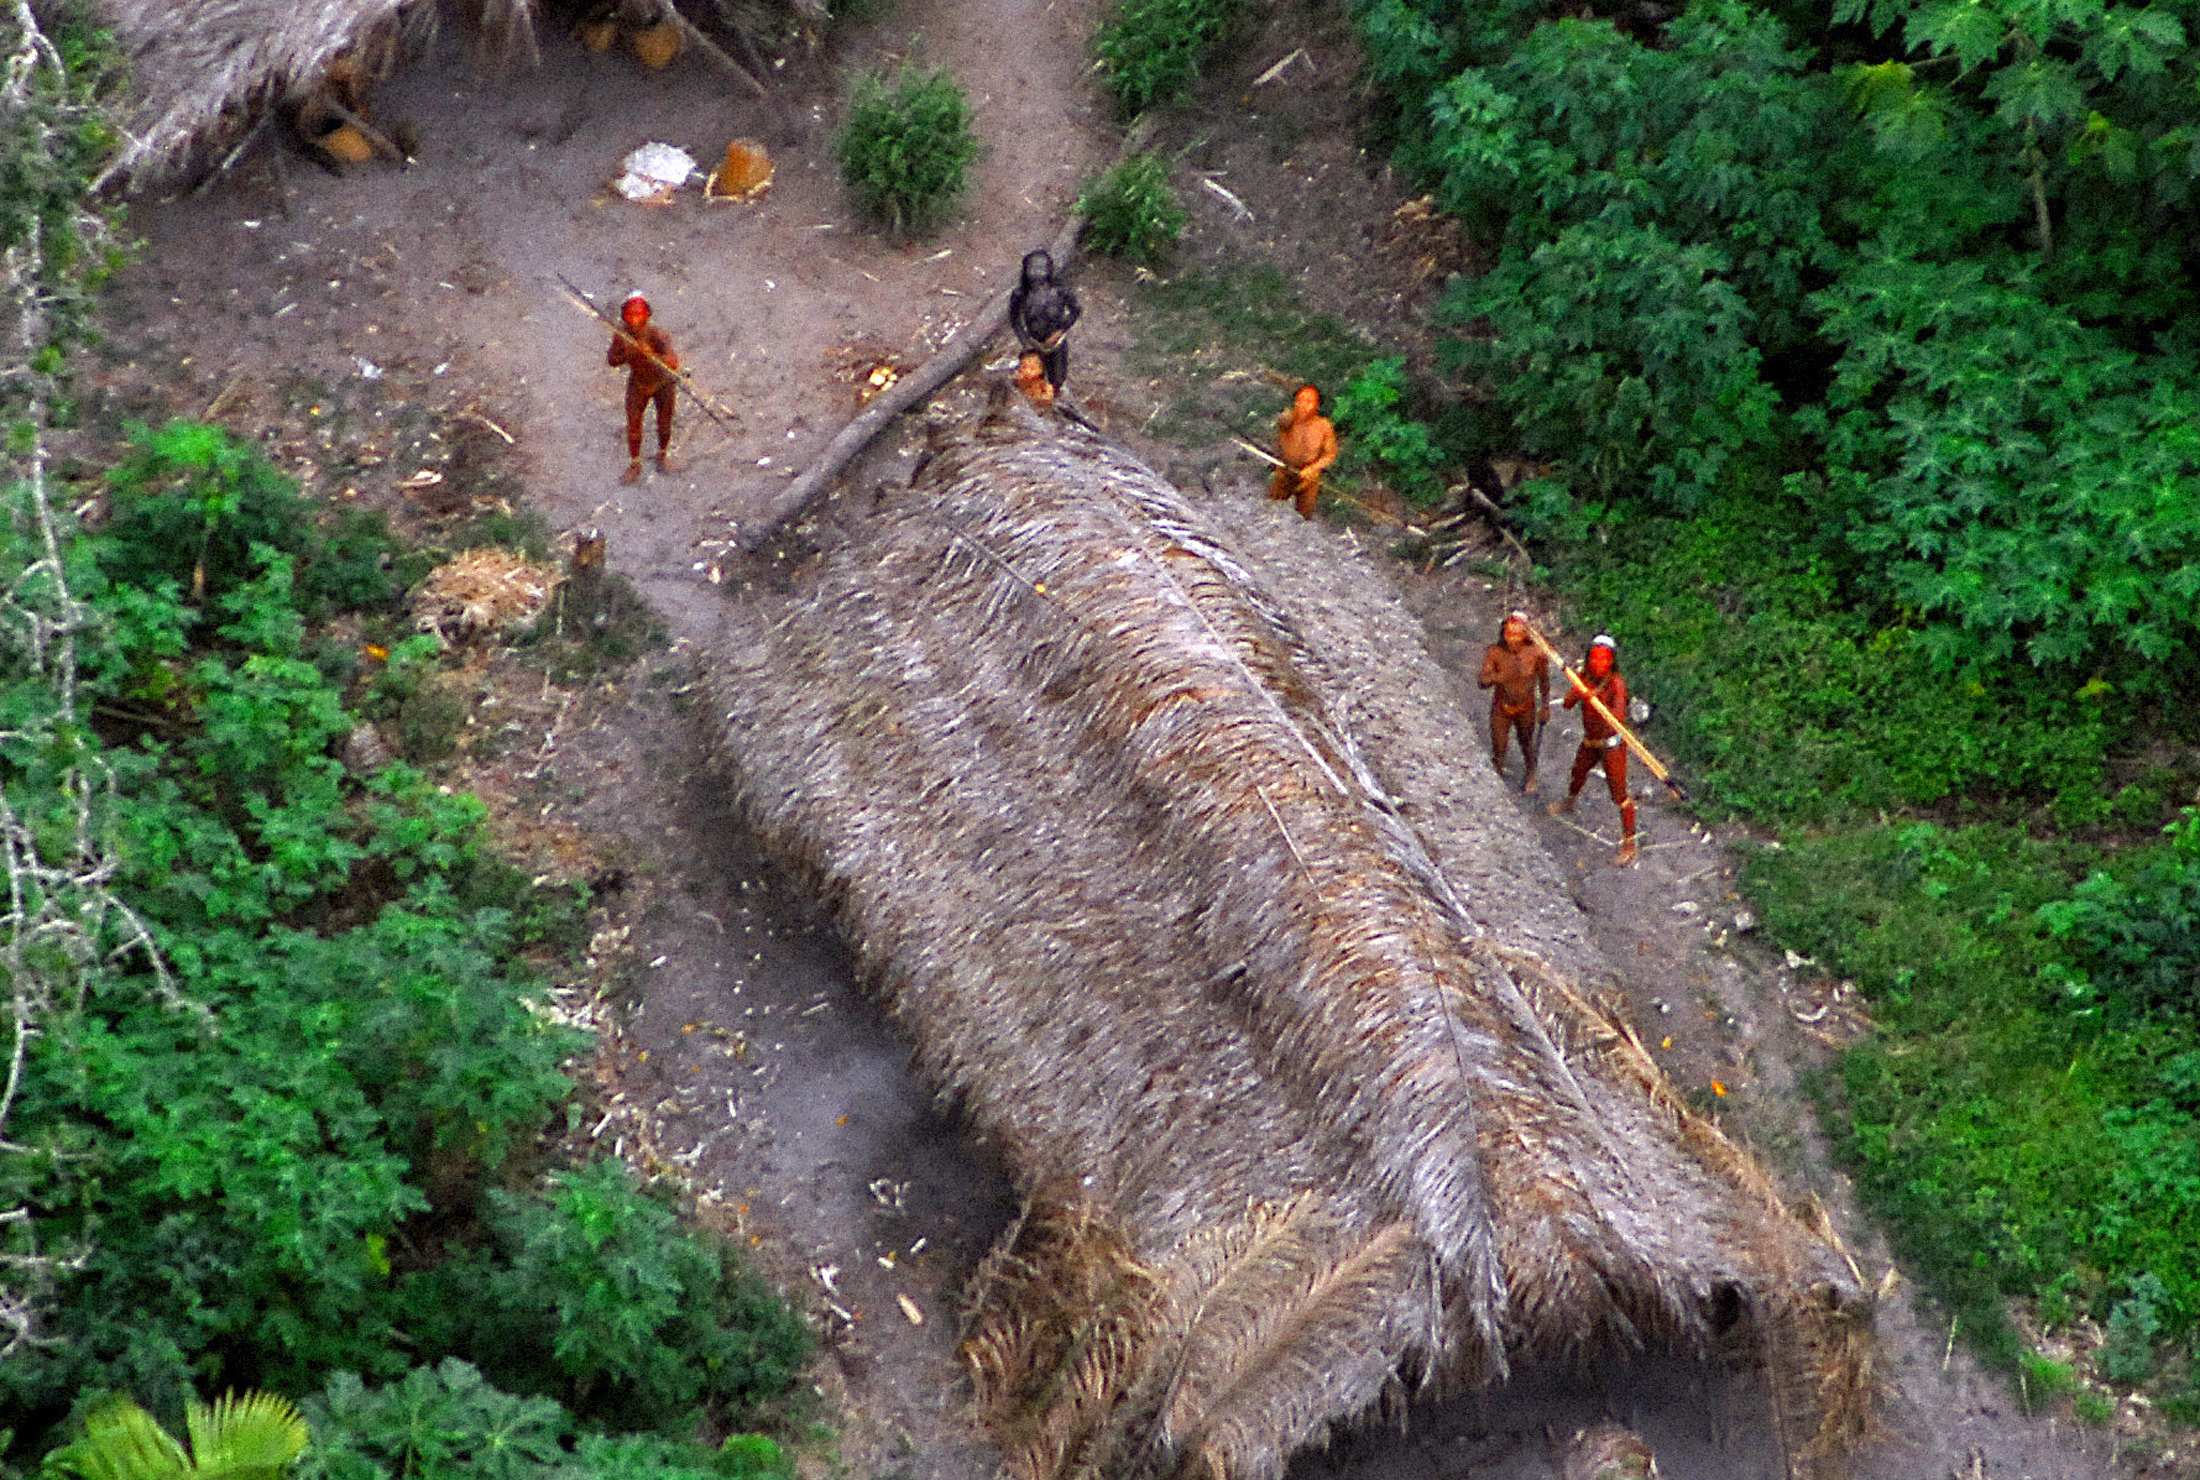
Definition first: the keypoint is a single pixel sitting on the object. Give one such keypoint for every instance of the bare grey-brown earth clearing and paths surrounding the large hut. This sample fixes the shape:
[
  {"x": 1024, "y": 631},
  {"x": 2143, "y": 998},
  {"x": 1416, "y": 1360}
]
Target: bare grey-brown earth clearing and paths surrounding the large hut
[{"x": 742, "y": 1059}]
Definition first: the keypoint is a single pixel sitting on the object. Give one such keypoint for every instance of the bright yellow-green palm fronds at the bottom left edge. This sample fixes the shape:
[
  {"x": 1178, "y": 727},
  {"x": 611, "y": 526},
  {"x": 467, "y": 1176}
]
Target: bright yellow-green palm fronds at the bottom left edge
[{"x": 243, "y": 1437}]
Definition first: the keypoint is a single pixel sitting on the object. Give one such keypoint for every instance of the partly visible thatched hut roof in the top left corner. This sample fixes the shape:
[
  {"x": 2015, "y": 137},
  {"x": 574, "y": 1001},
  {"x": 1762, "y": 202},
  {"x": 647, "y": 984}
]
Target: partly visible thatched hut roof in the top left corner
[{"x": 206, "y": 69}]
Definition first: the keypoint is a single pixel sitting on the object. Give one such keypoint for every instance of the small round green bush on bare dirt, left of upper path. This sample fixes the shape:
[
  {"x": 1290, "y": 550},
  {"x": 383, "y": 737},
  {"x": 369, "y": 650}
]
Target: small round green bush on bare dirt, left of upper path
[{"x": 907, "y": 148}]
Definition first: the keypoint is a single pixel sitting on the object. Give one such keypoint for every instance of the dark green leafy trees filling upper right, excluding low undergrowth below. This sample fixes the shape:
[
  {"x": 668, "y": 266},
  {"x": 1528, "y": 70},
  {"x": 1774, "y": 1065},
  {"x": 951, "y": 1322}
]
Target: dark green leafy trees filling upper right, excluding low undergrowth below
[{"x": 1966, "y": 322}]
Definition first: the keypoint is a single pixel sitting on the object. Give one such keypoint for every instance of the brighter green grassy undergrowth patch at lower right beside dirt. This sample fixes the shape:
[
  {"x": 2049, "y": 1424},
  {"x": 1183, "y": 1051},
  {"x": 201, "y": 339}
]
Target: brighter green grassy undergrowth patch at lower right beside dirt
[{"x": 2027, "y": 1116}]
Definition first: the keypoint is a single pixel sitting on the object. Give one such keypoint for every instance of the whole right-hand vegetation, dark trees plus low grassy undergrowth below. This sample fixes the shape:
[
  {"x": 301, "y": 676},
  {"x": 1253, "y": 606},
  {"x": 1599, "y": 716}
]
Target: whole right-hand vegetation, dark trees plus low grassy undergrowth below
[{"x": 1862, "y": 342}]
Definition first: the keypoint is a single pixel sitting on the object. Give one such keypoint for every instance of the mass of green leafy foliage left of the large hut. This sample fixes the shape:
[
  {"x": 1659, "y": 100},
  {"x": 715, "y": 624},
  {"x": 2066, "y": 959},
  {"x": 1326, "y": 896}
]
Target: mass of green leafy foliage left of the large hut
[{"x": 313, "y": 1142}]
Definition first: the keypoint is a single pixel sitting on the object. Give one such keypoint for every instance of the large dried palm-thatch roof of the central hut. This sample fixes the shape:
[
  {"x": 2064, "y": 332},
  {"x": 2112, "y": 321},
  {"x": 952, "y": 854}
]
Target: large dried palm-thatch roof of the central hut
[{"x": 1182, "y": 872}]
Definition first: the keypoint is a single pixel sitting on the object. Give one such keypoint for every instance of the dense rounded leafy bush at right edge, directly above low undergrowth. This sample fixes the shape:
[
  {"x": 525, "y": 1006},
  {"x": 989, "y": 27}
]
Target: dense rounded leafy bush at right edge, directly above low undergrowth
[{"x": 2014, "y": 472}]
